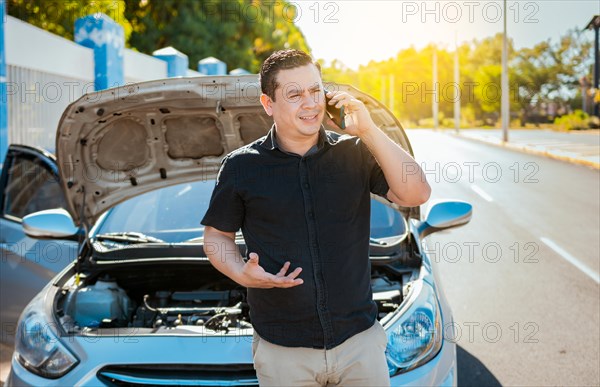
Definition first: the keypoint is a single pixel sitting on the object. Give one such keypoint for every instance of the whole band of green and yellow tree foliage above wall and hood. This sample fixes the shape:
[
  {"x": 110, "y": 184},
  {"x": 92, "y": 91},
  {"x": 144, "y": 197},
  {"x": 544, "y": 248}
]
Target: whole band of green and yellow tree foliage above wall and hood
[{"x": 240, "y": 33}]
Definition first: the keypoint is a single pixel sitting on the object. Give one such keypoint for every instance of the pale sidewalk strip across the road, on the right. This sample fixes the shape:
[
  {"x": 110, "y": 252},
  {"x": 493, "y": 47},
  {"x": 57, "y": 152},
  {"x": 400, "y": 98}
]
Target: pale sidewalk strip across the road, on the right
[{"x": 578, "y": 147}]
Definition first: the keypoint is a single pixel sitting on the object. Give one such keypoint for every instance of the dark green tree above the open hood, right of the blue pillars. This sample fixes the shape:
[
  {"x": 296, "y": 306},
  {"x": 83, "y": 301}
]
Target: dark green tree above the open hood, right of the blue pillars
[{"x": 238, "y": 32}]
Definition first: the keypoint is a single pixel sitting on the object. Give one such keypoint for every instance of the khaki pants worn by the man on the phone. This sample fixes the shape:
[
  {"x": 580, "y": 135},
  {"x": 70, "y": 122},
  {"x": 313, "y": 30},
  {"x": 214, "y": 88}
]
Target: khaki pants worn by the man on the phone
[{"x": 358, "y": 361}]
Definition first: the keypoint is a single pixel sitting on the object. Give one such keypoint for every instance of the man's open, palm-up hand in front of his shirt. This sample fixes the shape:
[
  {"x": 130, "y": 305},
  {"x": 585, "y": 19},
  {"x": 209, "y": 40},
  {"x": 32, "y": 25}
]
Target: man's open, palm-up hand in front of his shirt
[{"x": 252, "y": 275}]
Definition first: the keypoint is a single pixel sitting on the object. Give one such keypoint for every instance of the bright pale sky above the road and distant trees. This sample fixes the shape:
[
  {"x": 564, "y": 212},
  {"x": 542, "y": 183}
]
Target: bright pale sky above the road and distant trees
[{"x": 357, "y": 31}]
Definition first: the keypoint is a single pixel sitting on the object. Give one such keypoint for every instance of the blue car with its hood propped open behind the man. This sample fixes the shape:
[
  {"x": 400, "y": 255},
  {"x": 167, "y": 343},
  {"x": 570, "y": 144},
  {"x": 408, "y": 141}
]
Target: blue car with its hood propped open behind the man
[{"x": 136, "y": 301}]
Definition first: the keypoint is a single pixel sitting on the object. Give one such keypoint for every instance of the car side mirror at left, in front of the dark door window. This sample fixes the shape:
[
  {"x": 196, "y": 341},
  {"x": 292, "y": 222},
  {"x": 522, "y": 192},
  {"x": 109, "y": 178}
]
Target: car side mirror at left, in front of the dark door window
[{"x": 50, "y": 224}]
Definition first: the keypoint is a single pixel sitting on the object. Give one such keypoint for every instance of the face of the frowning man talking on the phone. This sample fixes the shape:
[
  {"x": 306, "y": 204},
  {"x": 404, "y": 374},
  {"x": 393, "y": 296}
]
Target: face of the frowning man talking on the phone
[{"x": 299, "y": 104}]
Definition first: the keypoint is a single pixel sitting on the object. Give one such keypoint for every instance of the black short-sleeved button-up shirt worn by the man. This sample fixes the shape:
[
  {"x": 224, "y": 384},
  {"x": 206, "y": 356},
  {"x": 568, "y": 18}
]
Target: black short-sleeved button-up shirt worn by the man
[{"x": 311, "y": 210}]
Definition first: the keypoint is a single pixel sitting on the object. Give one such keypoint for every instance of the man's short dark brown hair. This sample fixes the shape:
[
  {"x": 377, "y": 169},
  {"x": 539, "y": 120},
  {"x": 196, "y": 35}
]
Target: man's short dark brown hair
[{"x": 281, "y": 60}]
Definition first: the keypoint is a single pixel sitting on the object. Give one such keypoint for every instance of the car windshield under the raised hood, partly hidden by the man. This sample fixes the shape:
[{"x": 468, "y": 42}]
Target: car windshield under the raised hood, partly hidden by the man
[{"x": 173, "y": 214}]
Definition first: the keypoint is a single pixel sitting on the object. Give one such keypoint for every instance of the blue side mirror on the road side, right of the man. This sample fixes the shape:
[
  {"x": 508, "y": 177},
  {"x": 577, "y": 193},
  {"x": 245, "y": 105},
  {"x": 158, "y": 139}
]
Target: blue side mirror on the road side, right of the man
[{"x": 444, "y": 215}]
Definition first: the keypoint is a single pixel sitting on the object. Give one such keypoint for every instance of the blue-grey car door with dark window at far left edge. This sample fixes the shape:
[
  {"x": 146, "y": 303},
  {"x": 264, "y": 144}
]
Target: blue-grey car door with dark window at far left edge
[{"x": 29, "y": 183}]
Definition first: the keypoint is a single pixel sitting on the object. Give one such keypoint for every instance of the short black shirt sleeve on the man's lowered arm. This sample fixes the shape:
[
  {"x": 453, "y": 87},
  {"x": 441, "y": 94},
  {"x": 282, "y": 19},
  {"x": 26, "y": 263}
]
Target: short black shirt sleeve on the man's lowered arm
[{"x": 226, "y": 208}]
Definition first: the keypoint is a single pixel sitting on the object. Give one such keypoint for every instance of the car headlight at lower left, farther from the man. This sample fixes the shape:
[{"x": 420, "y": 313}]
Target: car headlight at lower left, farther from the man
[{"x": 37, "y": 345}]
